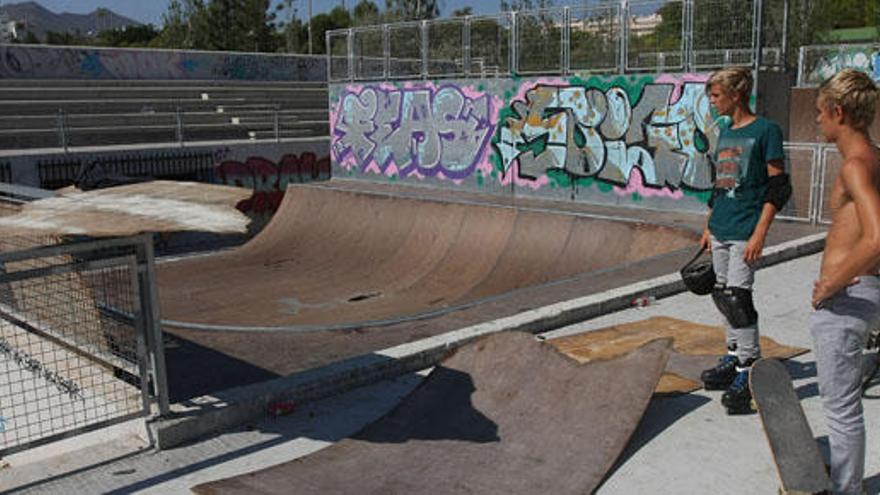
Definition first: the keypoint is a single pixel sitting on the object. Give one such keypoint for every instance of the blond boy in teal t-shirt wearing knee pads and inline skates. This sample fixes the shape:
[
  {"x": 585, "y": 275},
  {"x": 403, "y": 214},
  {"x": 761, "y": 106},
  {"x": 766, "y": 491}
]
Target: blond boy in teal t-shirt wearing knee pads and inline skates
[{"x": 750, "y": 187}]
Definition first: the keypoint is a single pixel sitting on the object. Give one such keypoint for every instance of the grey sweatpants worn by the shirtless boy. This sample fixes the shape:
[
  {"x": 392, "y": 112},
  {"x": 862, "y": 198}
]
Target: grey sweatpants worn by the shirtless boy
[{"x": 840, "y": 327}]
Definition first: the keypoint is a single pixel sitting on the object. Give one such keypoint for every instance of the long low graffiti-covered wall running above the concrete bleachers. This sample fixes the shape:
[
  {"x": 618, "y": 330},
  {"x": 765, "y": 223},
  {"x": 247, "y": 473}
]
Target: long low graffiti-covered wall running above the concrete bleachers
[{"x": 51, "y": 62}]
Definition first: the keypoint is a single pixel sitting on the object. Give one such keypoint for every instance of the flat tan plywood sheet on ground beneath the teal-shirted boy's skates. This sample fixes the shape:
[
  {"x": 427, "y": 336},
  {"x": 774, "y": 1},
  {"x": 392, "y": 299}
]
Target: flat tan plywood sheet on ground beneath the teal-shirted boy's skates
[{"x": 695, "y": 348}]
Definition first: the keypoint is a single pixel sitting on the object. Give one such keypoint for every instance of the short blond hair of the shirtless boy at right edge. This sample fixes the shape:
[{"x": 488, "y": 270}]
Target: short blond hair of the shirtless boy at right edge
[{"x": 855, "y": 93}]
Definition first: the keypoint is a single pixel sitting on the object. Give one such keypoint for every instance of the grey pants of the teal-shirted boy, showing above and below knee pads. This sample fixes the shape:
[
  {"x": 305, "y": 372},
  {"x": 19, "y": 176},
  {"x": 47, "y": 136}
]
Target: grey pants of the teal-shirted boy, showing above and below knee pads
[{"x": 732, "y": 271}]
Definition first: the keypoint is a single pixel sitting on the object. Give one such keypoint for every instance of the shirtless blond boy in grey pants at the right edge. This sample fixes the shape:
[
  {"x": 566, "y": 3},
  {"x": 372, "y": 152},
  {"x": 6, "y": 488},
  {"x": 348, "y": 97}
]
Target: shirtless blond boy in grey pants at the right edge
[{"x": 846, "y": 297}]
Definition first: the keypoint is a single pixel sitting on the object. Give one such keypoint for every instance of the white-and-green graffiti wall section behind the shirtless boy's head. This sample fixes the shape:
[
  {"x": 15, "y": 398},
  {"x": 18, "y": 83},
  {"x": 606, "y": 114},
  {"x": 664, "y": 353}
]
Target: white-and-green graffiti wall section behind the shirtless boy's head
[{"x": 819, "y": 62}]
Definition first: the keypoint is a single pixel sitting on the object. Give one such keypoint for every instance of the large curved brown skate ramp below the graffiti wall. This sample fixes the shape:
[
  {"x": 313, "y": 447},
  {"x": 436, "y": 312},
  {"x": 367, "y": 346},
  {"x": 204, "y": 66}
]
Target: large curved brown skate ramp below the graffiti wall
[{"x": 336, "y": 258}]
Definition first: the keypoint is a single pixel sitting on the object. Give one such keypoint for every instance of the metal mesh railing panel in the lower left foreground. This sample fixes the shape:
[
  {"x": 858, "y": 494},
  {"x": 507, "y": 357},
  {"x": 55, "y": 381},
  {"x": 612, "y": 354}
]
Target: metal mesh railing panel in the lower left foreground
[{"x": 80, "y": 342}]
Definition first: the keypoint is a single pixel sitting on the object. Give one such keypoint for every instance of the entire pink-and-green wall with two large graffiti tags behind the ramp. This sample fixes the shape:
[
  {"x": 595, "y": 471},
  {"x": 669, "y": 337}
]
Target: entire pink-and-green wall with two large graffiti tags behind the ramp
[{"x": 614, "y": 140}]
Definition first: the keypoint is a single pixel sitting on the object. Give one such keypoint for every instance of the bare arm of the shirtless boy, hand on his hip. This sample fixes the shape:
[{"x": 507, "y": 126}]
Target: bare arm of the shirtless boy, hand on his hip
[{"x": 859, "y": 183}]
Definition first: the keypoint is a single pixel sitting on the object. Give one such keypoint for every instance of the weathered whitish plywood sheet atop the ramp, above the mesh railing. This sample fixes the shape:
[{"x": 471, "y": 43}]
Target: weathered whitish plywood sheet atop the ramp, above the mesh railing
[{"x": 157, "y": 206}]
